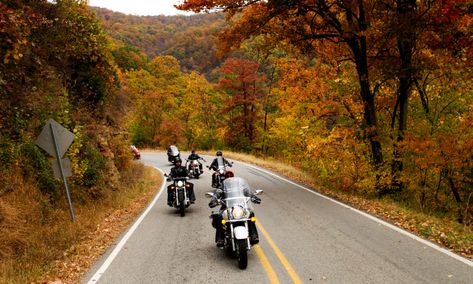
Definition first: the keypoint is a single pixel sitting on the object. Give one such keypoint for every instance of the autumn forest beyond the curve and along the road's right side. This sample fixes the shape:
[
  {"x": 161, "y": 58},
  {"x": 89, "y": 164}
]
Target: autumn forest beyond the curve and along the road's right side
[{"x": 378, "y": 103}]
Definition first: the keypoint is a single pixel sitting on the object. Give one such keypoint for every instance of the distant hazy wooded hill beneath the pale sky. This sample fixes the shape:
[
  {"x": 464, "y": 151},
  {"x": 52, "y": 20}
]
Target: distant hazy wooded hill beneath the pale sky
[{"x": 190, "y": 39}]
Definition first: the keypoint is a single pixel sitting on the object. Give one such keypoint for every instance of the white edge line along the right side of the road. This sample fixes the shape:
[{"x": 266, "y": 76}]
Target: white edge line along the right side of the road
[{"x": 391, "y": 226}]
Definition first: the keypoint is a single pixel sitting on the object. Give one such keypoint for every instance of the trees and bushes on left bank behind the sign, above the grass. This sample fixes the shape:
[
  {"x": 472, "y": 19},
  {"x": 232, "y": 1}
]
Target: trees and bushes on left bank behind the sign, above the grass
[{"x": 55, "y": 63}]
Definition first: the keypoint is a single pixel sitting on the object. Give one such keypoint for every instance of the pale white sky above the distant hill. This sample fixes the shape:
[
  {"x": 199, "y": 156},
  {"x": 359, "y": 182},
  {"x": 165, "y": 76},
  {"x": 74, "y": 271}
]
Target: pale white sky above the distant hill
[{"x": 140, "y": 7}]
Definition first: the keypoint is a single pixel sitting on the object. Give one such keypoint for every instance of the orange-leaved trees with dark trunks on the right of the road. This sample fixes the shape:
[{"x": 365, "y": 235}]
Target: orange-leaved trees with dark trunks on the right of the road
[{"x": 399, "y": 53}]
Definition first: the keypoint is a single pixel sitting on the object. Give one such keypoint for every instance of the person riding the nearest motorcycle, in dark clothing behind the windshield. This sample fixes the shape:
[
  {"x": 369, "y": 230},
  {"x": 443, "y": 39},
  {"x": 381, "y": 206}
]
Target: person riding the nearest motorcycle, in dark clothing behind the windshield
[{"x": 217, "y": 217}]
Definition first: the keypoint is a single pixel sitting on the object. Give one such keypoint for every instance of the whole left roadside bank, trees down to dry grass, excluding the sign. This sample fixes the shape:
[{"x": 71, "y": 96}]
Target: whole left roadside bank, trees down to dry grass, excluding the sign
[{"x": 55, "y": 62}]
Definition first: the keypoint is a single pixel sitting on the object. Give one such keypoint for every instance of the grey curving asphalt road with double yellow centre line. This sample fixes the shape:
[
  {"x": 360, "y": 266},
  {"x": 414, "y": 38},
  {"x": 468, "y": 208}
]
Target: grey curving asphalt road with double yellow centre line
[{"x": 304, "y": 237}]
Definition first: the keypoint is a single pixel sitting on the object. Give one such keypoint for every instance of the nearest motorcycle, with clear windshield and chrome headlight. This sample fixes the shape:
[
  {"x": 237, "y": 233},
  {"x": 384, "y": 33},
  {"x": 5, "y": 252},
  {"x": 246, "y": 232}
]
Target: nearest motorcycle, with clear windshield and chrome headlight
[{"x": 237, "y": 216}]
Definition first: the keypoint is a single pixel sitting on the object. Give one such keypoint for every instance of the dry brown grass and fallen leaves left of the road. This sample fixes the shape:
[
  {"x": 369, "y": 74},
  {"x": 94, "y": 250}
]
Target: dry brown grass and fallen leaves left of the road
[{"x": 47, "y": 246}]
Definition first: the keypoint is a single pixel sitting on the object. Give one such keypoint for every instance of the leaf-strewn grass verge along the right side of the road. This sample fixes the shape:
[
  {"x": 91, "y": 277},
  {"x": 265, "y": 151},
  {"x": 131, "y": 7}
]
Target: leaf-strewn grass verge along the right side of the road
[{"x": 443, "y": 231}]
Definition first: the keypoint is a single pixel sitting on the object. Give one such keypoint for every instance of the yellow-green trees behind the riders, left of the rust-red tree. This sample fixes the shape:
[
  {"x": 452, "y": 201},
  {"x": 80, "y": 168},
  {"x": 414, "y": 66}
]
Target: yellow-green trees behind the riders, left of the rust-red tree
[{"x": 171, "y": 107}]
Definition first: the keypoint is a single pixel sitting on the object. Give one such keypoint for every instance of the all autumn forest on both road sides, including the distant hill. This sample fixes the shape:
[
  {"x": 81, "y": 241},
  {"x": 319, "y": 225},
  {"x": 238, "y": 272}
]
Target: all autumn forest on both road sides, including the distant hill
[{"x": 373, "y": 99}]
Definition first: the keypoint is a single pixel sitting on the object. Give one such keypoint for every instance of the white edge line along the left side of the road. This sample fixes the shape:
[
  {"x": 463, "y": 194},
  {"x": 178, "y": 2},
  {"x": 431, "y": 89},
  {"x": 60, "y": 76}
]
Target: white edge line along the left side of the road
[{"x": 125, "y": 238}]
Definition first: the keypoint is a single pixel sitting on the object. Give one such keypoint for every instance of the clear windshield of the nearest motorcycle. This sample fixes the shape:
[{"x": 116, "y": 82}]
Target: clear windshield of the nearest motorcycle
[{"x": 236, "y": 192}]
